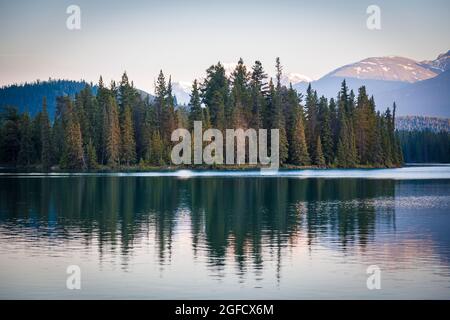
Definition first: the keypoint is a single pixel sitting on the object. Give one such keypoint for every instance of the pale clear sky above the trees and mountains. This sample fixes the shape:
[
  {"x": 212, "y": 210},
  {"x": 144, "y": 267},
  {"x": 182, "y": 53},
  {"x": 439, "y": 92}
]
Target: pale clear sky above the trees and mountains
[{"x": 184, "y": 37}]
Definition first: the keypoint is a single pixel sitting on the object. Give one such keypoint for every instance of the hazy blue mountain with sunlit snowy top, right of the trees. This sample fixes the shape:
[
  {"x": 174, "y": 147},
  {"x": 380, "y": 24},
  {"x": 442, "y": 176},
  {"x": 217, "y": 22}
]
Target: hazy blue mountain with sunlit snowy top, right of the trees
[{"x": 418, "y": 88}]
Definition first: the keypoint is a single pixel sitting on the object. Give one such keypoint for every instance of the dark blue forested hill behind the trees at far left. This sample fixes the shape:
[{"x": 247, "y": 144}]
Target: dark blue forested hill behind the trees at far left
[{"x": 28, "y": 96}]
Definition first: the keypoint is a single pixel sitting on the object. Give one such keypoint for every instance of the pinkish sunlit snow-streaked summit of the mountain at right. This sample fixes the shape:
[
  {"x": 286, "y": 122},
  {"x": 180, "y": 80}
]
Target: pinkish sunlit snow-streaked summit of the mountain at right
[{"x": 385, "y": 68}]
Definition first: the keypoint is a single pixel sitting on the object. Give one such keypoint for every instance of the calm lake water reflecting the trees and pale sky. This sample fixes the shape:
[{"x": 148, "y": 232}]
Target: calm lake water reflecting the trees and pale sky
[{"x": 207, "y": 235}]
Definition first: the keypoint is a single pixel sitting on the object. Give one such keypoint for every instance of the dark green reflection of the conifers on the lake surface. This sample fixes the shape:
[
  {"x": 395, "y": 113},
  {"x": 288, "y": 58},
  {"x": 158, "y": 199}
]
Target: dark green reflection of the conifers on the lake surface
[{"x": 236, "y": 217}]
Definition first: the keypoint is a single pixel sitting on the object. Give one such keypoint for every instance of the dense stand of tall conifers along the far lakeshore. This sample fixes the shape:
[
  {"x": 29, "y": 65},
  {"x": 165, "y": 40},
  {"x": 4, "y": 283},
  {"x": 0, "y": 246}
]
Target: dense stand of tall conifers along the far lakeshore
[{"x": 117, "y": 128}]
